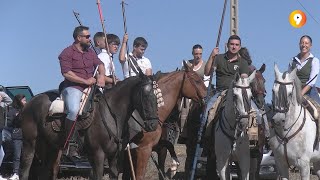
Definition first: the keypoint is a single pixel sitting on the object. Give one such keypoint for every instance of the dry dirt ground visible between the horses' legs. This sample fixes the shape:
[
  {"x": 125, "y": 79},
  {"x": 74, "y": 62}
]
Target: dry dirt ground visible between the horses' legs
[{"x": 152, "y": 173}]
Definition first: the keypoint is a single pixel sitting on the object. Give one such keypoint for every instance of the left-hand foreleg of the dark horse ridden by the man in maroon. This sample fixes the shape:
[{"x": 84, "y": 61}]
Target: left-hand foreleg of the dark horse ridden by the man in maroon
[{"x": 97, "y": 161}]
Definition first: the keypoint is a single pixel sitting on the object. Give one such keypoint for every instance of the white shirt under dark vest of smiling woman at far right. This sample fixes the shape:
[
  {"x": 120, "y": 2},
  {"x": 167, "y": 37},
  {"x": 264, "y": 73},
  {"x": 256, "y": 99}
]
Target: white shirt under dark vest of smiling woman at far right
[{"x": 314, "y": 68}]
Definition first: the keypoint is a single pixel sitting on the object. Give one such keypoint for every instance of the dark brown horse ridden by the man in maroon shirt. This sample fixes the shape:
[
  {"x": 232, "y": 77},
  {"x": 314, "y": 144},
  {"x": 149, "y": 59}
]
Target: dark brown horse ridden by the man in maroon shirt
[{"x": 102, "y": 138}]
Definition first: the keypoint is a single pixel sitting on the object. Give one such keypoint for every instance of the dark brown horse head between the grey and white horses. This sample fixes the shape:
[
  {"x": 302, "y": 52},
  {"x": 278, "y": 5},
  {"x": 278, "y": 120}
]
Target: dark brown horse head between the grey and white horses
[{"x": 258, "y": 87}]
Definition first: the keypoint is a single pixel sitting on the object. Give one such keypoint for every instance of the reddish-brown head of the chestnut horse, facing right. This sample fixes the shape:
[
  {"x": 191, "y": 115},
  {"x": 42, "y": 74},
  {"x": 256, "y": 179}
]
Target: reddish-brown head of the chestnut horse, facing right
[{"x": 193, "y": 86}]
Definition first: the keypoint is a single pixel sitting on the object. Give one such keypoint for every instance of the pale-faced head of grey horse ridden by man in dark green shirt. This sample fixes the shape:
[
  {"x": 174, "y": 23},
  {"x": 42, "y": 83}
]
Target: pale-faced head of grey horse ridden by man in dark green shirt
[{"x": 242, "y": 95}]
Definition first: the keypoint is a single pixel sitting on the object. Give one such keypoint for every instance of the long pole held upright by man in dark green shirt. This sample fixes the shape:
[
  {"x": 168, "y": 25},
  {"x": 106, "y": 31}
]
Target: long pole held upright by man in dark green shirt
[{"x": 203, "y": 117}]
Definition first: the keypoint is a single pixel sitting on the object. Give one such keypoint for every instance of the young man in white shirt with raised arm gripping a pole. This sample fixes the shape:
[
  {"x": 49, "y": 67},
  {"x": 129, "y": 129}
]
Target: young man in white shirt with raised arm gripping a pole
[{"x": 135, "y": 58}]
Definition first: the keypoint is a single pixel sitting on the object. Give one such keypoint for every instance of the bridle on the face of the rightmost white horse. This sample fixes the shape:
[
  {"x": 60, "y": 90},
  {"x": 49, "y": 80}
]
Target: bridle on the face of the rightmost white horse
[{"x": 281, "y": 104}]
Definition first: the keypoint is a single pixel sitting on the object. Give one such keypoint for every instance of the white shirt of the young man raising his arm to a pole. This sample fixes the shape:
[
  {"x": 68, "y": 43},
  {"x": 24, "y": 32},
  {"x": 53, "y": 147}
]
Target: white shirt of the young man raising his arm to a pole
[{"x": 144, "y": 63}]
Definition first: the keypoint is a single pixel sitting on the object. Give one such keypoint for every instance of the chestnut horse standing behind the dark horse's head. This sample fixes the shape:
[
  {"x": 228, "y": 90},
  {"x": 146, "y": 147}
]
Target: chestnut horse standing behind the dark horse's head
[{"x": 186, "y": 83}]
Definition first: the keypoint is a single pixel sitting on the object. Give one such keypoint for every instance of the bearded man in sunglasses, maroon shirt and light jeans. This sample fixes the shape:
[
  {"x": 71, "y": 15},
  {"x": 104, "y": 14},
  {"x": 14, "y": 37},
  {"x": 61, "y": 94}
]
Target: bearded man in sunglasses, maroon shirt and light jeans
[{"x": 78, "y": 63}]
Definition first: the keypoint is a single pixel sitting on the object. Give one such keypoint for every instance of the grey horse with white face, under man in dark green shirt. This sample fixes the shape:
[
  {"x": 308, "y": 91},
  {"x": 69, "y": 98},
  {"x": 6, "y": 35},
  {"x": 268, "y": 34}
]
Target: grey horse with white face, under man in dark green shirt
[{"x": 231, "y": 138}]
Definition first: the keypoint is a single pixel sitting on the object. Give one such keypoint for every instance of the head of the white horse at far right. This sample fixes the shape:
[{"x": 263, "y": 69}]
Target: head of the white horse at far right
[{"x": 286, "y": 90}]
